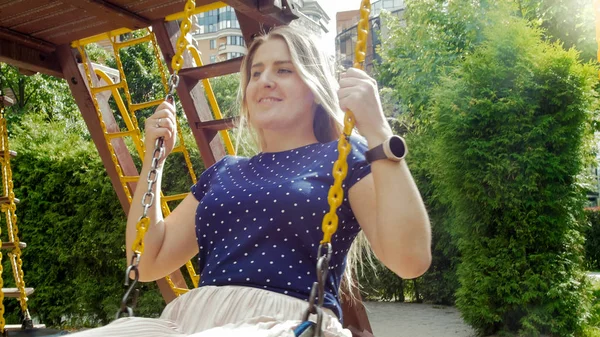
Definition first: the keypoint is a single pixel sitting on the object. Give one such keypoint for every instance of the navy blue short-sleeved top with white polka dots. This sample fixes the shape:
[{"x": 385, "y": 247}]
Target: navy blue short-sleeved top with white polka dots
[{"x": 258, "y": 223}]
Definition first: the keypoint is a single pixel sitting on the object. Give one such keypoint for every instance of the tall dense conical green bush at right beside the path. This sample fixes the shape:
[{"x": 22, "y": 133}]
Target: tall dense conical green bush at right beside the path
[{"x": 511, "y": 123}]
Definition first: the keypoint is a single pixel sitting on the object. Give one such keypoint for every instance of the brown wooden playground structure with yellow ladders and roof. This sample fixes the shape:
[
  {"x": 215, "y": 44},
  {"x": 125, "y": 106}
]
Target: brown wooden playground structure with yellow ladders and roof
[{"x": 54, "y": 43}]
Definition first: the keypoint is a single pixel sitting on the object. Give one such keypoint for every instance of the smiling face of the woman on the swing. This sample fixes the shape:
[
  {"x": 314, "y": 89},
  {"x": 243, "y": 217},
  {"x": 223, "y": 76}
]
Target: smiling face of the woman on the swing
[{"x": 276, "y": 96}]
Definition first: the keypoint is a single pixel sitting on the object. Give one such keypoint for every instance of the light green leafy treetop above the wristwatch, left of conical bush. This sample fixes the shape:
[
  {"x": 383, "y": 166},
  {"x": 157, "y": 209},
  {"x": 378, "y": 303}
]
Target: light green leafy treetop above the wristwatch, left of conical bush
[{"x": 434, "y": 37}]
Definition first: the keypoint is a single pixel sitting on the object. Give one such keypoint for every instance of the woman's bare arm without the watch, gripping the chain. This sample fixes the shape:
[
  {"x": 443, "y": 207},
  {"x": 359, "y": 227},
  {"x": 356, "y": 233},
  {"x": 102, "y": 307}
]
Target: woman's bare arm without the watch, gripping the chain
[{"x": 169, "y": 242}]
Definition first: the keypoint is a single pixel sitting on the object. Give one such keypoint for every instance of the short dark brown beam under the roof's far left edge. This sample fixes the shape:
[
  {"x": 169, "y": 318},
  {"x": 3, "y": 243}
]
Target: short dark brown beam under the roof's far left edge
[{"x": 29, "y": 58}]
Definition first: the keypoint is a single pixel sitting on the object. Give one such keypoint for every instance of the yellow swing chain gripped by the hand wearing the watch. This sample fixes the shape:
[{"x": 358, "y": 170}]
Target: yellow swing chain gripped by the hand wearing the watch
[{"x": 336, "y": 192}]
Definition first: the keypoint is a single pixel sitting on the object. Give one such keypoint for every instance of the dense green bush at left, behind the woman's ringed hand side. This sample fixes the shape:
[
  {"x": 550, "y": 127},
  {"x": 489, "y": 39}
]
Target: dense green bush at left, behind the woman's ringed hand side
[{"x": 74, "y": 227}]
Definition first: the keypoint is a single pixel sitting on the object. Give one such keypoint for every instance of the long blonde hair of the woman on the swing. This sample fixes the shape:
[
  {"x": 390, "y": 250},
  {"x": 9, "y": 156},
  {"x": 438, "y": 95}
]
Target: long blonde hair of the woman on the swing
[{"x": 317, "y": 71}]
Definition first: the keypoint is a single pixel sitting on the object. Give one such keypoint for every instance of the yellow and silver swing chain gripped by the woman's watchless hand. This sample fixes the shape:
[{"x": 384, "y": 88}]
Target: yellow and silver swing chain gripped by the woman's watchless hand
[{"x": 159, "y": 150}]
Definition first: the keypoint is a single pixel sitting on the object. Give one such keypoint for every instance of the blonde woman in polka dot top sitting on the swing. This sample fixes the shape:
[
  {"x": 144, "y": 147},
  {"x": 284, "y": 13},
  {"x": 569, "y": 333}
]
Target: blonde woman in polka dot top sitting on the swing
[{"x": 255, "y": 222}]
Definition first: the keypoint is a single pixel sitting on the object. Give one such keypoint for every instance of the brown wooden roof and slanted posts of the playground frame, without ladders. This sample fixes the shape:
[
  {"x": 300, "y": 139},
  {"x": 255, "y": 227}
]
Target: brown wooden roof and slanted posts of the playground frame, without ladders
[{"x": 37, "y": 36}]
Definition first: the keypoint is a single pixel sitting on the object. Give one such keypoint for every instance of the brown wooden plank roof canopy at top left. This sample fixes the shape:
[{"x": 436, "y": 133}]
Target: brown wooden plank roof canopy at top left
[{"x": 32, "y": 30}]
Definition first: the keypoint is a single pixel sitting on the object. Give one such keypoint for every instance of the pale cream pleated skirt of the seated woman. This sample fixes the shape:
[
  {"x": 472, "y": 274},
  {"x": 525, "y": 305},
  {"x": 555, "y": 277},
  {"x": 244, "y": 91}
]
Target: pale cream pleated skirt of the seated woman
[{"x": 222, "y": 311}]
